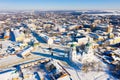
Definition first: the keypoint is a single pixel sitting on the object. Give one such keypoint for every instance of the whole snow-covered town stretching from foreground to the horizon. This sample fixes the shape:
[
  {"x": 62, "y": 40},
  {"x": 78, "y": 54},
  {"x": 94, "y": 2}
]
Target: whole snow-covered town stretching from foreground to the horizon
[{"x": 60, "y": 45}]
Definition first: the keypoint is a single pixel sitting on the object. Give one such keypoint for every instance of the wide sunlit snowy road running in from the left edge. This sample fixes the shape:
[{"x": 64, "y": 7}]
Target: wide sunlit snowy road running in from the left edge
[{"x": 12, "y": 60}]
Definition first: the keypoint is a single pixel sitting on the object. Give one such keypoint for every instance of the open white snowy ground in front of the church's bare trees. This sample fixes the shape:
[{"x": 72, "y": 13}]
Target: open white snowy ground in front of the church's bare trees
[{"x": 92, "y": 75}]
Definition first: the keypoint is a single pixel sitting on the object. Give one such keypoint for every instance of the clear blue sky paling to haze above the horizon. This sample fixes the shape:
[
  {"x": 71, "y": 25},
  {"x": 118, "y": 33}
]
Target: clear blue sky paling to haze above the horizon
[{"x": 59, "y": 4}]
